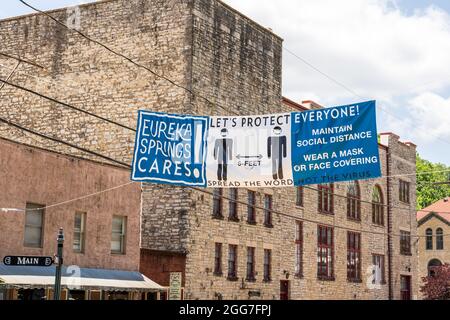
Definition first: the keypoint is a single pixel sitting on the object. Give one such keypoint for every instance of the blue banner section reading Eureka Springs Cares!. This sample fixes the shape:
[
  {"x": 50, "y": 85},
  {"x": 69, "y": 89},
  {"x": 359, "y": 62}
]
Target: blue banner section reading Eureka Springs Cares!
[{"x": 170, "y": 149}]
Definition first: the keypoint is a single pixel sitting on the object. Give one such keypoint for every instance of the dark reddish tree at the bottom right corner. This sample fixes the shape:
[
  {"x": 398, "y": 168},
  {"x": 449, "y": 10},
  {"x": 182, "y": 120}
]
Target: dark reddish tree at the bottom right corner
[{"x": 437, "y": 286}]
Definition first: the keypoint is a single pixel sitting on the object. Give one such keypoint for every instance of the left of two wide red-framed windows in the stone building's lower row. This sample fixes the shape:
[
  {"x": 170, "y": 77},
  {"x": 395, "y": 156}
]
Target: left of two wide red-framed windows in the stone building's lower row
[{"x": 325, "y": 253}]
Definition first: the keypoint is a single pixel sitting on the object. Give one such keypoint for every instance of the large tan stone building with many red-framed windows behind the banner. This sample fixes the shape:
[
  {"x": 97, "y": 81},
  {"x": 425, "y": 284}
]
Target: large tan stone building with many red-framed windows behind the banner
[{"x": 232, "y": 65}]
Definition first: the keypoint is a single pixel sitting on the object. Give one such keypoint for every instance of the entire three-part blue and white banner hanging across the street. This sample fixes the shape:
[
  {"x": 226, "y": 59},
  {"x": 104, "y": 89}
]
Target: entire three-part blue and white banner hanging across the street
[{"x": 275, "y": 150}]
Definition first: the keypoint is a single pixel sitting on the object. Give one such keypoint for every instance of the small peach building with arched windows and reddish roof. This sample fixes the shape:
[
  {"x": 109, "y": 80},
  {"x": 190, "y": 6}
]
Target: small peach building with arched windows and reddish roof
[{"x": 433, "y": 225}]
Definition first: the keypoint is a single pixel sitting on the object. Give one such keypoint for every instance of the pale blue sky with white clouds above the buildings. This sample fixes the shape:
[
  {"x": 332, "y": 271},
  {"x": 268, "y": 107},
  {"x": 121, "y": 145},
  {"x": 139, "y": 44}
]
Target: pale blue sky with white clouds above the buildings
[{"x": 396, "y": 52}]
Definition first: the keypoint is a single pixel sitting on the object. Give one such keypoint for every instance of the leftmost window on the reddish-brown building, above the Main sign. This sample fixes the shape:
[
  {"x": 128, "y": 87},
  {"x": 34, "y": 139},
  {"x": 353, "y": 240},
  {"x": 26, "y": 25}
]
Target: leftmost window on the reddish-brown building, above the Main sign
[{"x": 34, "y": 221}]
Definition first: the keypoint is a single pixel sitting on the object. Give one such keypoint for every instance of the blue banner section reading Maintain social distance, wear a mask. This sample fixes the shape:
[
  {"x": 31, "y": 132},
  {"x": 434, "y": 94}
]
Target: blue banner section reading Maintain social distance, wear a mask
[{"x": 335, "y": 144}]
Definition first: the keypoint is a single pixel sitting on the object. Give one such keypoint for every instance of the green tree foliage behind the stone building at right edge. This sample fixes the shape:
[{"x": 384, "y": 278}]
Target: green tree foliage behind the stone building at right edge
[{"x": 428, "y": 193}]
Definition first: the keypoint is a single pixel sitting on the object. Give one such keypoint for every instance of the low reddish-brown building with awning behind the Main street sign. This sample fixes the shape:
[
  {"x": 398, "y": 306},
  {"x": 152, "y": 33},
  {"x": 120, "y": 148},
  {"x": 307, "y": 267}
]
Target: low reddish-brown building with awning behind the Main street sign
[{"x": 42, "y": 191}]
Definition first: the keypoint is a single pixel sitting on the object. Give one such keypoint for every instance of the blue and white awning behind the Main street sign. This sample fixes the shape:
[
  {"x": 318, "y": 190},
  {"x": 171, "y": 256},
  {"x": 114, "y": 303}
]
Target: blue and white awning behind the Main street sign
[{"x": 75, "y": 278}]
